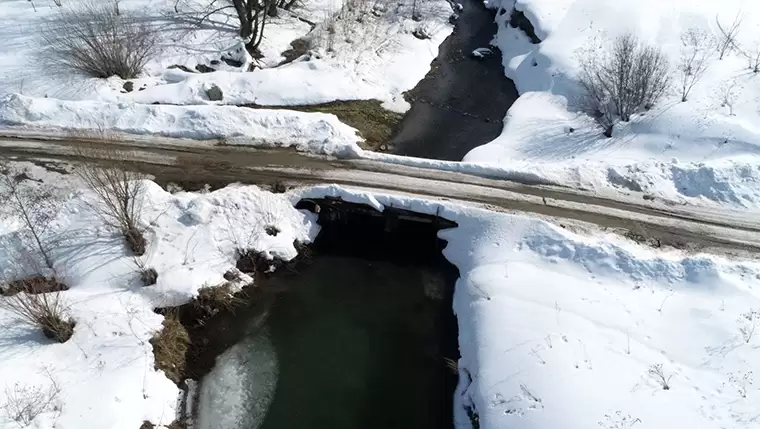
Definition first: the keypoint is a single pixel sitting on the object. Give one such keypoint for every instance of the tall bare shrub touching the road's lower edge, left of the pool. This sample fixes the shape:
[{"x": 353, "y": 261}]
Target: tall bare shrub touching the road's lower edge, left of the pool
[{"x": 120, "y": 189}]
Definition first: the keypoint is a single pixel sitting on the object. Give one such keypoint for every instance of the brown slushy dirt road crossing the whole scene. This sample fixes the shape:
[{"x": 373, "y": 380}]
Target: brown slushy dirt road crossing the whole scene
[{"x": 195, "y": 164}]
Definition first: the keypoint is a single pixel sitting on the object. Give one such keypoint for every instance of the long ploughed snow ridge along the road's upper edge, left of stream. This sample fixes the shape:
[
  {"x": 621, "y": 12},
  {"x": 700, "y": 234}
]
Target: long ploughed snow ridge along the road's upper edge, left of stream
[{"x": 314, "y": 132}]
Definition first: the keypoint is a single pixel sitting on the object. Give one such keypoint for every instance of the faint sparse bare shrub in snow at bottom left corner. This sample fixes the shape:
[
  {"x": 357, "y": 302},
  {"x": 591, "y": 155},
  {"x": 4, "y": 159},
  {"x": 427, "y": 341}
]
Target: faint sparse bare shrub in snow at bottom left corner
[{"x": 25, "y": 403}]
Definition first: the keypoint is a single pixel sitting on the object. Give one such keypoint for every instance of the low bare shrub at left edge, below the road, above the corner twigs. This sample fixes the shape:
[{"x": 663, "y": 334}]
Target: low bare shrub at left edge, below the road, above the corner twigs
[{"x": 45, "y": 311}]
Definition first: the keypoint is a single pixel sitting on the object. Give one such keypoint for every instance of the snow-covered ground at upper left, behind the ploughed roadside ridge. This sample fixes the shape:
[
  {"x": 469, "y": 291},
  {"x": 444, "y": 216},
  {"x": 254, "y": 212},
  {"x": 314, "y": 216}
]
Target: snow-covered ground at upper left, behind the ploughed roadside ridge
[{"x": 379, "y": 58}]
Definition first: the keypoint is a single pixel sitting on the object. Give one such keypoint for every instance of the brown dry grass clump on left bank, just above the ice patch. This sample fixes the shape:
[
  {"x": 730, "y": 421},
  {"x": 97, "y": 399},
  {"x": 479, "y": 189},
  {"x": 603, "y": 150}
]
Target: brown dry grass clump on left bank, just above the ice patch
[{"x": 170, "y": 346}]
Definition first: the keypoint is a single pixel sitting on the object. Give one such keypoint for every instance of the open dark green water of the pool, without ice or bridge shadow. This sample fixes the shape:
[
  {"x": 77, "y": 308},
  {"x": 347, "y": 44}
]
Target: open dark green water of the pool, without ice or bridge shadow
[{"x": 358, "y": 346}]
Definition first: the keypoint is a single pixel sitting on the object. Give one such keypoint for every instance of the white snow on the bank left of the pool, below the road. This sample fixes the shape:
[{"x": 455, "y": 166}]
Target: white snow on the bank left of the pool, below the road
[{"x": 105, "y": 373}]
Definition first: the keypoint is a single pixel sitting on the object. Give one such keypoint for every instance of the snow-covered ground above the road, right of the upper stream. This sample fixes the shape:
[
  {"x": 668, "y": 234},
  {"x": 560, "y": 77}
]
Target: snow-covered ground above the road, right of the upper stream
[{"x": 700, "y": 151}]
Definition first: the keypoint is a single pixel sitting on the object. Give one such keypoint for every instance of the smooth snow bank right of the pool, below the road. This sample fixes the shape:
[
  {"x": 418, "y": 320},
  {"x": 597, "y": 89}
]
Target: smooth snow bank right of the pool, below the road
[{"x": 559, "y": 330}]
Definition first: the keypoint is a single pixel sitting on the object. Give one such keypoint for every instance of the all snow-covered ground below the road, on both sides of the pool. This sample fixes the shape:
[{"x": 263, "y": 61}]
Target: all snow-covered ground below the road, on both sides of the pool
[{"x": 558, "y": 327}]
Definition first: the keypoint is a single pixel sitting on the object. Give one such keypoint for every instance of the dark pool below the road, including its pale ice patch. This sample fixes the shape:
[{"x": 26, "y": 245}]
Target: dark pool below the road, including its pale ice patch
[{"x": 355, "y": 338}]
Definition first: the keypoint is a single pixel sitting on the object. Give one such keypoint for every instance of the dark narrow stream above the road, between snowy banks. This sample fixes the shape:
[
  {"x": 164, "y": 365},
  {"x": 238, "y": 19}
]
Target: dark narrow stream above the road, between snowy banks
[{"x": 462, "y": 101}]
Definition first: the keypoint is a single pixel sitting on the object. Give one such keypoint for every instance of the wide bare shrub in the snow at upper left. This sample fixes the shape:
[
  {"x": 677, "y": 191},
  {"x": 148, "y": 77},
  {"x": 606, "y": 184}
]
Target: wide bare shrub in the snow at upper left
[{"x": 97, "y": 39}]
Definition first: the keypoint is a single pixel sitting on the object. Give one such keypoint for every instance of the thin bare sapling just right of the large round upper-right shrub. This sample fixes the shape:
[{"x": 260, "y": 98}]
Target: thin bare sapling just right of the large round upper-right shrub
[{"x": 696, "y": 50}]
